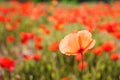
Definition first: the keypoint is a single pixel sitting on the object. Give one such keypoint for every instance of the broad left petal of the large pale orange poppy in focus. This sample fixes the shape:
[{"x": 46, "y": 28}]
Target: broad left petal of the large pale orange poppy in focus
[{"x": 69, "y": 44}]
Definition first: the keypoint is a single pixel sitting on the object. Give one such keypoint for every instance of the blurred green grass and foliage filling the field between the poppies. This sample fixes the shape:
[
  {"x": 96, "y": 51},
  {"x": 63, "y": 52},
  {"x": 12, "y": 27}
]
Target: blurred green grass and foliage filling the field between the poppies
[{"x": 54, "y": 65}]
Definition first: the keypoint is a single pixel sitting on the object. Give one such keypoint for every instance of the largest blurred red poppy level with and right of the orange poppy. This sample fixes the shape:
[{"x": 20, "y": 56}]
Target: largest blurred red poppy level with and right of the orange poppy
[{"x": 108, "y": 46}]
